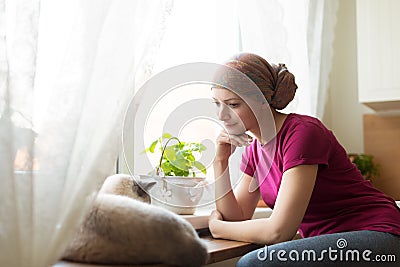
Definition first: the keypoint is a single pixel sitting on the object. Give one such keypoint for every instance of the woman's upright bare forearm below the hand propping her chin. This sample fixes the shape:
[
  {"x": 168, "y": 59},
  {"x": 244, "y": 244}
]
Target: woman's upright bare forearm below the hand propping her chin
[{"x": 226, "y": 201}]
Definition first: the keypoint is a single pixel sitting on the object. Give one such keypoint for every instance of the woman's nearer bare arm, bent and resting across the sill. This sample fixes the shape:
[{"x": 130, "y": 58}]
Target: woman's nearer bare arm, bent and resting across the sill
[{"x": 290, "y": 206}]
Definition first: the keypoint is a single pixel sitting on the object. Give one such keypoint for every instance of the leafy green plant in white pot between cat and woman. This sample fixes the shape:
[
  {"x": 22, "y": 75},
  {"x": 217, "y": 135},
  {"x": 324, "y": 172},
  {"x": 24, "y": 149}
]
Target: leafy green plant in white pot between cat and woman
[{"x": 178, "y": 185}]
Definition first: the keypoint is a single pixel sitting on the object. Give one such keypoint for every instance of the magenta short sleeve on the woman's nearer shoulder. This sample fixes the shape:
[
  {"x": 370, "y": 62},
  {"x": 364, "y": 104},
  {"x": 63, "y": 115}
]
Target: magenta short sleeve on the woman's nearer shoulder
[{"x": 306, "y": 144}]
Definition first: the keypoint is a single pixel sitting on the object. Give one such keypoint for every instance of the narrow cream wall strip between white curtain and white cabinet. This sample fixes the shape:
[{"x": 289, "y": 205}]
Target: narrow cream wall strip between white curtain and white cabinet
[{"x": 343, "y": 114}]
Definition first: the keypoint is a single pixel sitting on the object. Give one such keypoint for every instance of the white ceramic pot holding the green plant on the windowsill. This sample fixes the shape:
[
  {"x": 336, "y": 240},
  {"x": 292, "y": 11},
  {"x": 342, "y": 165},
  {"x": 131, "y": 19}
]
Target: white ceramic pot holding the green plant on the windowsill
[{"x": 175, "y": 193}]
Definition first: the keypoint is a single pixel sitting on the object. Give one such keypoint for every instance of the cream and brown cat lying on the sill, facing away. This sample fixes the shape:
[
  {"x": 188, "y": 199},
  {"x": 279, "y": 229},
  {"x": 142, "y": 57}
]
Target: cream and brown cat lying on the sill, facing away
[{"x": 123, "y": 228}]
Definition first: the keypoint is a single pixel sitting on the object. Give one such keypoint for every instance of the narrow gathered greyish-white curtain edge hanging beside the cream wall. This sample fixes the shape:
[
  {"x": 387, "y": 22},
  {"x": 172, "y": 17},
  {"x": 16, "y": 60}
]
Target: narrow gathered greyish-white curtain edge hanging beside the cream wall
[{"x": 320, "y": 38}]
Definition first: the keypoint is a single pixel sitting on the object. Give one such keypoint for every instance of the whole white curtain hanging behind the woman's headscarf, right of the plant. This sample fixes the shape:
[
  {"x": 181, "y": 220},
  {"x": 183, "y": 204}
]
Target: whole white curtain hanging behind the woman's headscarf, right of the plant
[{"x": 299, "y": 34}]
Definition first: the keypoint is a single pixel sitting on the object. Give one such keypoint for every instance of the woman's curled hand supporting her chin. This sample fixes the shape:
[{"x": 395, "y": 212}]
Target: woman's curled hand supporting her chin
[{"x": 227, "y": 143}]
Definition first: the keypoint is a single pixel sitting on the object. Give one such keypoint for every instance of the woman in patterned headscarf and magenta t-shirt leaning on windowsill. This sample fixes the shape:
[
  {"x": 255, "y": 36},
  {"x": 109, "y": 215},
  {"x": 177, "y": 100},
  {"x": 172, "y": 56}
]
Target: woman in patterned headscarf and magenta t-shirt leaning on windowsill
[{"x": 301, "y": 172}]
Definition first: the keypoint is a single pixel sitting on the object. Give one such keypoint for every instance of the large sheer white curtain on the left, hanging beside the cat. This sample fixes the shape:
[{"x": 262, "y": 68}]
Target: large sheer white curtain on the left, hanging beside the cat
[{"x": 66, "y": 78}]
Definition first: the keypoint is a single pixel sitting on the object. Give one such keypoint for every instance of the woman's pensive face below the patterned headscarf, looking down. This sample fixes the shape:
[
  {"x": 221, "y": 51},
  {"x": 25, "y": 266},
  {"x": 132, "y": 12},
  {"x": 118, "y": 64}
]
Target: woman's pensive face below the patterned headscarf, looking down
[{"x": 234, "y": 112}]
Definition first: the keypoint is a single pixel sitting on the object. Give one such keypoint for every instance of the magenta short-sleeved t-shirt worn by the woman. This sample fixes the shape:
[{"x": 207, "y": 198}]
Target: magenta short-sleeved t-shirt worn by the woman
[{"x": 342, "y": 199}]
